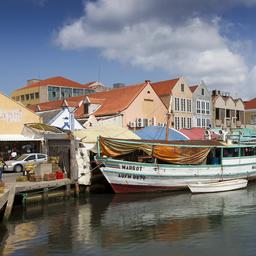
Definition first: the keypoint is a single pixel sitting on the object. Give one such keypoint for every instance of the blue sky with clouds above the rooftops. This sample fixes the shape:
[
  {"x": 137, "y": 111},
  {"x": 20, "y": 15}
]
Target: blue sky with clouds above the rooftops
[{"x": 129, "y": 41}]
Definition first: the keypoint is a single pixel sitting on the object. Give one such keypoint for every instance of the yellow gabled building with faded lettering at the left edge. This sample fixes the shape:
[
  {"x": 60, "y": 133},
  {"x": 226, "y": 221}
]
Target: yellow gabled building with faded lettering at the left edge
[{"x": 13, "y": 116}]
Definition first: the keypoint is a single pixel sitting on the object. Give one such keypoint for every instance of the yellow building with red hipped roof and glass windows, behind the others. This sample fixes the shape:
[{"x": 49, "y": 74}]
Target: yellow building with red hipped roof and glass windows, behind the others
[{"x": 56, "y": 88}]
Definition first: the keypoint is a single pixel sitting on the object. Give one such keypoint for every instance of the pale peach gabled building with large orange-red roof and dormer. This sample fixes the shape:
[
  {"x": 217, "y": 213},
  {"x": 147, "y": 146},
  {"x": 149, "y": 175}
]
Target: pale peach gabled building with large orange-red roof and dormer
[{"x": 134, "y": 106}]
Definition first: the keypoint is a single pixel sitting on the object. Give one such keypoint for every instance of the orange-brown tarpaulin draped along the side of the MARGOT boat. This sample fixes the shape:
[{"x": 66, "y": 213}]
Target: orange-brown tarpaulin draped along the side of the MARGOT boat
[{"x": 170, "y": 154}]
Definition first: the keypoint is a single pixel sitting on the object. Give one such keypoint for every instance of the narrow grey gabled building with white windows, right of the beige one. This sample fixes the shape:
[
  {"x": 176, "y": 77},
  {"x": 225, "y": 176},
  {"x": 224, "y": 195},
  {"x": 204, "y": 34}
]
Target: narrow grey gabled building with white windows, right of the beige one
[{"x": 201, "y": 106}]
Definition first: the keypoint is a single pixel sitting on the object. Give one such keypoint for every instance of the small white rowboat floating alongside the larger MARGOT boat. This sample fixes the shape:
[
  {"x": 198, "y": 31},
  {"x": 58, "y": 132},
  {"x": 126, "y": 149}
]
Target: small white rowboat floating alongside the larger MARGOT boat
[{"x": 218, "y": 186}]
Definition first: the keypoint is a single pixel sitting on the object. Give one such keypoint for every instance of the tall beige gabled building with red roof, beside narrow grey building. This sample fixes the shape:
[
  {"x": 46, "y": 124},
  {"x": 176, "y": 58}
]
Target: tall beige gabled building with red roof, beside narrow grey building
[{"x": 177, "y": 97}]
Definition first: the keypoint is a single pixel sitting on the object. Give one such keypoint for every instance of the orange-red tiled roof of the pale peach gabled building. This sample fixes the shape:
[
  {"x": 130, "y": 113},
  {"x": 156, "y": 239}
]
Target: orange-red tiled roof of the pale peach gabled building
[{"x": 115, "y": 100}]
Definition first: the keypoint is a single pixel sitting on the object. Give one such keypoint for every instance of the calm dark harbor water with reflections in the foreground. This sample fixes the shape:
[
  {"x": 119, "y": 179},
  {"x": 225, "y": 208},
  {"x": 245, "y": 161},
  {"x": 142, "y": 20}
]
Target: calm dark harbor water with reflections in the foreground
[{"x": 148, "y": 224}]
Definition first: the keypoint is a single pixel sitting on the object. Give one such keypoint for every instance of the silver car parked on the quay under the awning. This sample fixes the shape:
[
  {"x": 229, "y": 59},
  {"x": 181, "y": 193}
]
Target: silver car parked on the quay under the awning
[{"x": 18, "y": 164}]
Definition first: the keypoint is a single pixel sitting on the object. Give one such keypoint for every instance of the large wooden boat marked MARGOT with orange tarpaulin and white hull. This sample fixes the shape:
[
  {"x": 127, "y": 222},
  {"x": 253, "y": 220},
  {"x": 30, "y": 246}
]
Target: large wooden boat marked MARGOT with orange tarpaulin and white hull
[{"x": 147, "y": 166}]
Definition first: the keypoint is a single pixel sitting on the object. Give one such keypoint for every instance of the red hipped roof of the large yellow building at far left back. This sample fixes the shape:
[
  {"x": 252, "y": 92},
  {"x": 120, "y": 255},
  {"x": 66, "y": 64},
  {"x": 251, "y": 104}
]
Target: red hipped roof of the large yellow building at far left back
[{"x": 57, "y": 81}]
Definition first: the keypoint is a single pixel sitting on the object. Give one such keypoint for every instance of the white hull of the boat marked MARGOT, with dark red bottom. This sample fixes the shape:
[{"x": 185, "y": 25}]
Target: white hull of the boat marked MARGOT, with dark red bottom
[{"x": 127, "y": 177}]
